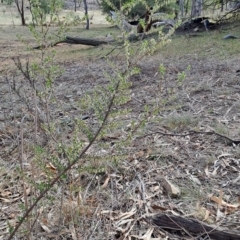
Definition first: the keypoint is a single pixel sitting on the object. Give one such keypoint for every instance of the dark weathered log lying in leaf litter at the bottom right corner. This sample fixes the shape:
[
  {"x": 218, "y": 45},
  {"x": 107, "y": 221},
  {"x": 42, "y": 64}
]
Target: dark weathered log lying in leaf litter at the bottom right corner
[{"x": 191, "y": 226}]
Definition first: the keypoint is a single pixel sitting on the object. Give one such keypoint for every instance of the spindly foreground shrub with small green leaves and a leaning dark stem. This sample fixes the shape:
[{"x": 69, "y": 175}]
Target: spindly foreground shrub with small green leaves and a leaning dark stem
[{"x": 68, "y": 140}]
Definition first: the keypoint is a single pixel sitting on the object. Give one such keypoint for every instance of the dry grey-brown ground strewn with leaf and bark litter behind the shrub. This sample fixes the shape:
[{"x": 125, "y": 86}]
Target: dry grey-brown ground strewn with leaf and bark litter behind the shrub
[{"x": 127, "y": 186}]
